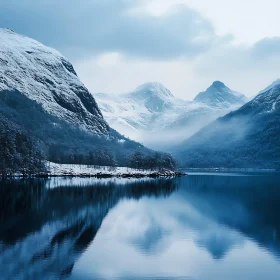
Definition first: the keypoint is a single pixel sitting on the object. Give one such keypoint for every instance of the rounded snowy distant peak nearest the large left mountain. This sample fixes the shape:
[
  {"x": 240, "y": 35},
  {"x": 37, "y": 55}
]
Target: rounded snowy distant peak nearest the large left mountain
[{"x": 135, "y": 111}]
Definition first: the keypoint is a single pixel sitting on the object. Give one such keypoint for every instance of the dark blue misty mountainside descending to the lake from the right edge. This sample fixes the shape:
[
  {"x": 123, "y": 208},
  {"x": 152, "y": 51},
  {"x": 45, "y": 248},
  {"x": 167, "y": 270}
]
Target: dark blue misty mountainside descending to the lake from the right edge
[{"x": 247, "y": 137}]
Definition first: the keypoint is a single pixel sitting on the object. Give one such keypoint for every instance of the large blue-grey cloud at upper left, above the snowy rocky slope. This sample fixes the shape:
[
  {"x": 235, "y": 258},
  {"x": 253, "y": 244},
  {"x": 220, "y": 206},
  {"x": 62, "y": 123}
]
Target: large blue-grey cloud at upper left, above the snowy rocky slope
[{"x": 110, "y": 26}]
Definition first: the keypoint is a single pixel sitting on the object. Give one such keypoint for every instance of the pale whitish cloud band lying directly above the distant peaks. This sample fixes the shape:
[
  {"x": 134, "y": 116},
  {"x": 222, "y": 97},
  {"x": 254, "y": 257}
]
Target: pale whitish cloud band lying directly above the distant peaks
[{"x": 247, "y": 69}]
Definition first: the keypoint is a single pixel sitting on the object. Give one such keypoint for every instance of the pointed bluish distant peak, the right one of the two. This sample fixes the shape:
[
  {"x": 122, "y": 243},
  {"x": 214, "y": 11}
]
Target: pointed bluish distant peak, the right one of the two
[{"x": 219, "y": 95}]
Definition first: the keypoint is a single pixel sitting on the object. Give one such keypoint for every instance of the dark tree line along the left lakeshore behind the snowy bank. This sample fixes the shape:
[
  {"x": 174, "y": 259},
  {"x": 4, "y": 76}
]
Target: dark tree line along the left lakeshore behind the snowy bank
[{"x": 20, "y": 152}]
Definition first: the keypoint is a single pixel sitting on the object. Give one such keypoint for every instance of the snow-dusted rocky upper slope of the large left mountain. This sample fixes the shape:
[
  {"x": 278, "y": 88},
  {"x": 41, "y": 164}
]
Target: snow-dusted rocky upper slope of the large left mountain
[{"x": 45, "y": 76}]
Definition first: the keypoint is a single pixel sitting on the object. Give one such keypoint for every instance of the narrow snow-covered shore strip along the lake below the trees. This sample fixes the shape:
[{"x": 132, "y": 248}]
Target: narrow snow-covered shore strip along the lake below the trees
[{"x": 54, "y": 169}]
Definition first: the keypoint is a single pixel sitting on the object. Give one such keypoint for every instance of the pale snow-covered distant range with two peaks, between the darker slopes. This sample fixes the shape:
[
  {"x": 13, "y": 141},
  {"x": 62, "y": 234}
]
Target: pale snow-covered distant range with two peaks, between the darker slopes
[{"x": 153, "y": 115}]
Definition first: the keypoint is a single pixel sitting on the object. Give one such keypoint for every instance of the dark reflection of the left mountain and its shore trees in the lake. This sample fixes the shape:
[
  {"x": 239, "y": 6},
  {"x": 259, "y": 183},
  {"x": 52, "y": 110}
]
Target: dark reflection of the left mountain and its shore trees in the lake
[{"x": 44, "y": 230}]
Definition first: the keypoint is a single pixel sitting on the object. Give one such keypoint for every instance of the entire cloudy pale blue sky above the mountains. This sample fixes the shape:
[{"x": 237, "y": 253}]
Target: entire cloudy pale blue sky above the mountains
[{"x": 116, "y": 45}]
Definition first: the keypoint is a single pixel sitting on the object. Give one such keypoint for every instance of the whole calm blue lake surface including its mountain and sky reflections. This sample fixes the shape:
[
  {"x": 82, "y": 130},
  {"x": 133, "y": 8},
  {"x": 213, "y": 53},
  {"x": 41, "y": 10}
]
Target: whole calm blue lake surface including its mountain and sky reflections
[{"x": 203, "y": 226}]
